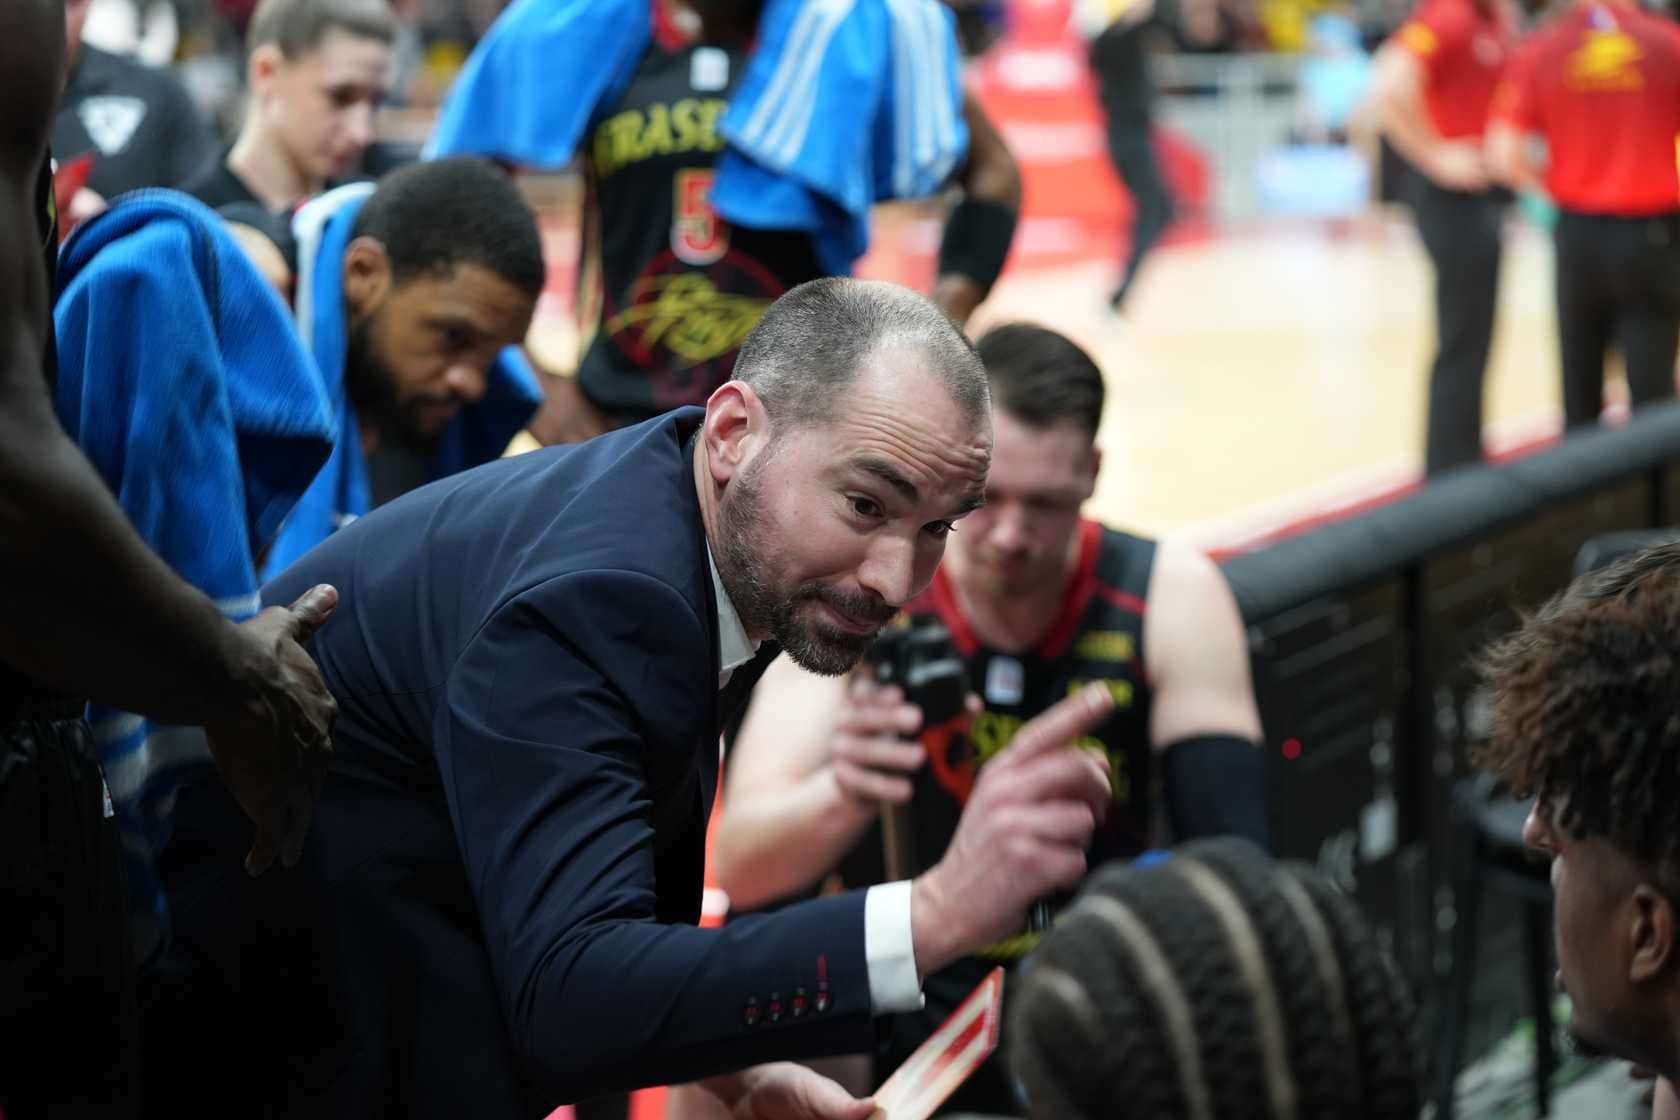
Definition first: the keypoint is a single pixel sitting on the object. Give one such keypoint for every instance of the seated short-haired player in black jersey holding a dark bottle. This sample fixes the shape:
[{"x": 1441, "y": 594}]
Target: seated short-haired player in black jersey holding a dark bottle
[{"x": 1039, "y": 602}]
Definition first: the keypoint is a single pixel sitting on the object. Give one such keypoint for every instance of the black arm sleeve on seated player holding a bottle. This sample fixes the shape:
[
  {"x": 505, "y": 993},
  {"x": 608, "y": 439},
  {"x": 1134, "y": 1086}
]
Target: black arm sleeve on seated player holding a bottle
[{"x": 1215, "y": 787}]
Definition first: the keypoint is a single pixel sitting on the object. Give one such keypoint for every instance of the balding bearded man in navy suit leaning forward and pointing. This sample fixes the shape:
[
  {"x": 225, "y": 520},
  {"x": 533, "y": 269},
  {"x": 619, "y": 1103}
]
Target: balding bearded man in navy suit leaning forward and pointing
[{"x": 533, "y": 664}]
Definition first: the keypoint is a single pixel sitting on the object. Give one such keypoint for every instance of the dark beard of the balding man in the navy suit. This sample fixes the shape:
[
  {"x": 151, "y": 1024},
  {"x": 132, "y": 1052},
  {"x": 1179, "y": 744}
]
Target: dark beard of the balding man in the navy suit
[{"x": 814, "y": 646}]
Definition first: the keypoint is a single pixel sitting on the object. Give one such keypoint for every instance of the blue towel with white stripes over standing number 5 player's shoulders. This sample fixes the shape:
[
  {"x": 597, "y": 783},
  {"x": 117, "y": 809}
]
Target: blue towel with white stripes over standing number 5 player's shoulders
[{"x": 846, "y": 103}]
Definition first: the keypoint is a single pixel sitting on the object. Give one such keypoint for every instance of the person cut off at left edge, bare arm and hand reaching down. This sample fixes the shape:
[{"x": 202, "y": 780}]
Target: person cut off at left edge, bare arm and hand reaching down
[{"x": 87, "y": 610}]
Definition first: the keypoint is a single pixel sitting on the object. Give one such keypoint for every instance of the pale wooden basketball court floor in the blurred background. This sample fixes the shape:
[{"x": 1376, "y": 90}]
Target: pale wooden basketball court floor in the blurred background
[{"x": 1271, "y": 375}]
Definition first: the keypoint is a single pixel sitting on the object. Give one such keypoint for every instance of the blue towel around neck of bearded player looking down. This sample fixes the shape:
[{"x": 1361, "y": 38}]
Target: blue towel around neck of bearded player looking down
[{"x": 342, "y": 493}]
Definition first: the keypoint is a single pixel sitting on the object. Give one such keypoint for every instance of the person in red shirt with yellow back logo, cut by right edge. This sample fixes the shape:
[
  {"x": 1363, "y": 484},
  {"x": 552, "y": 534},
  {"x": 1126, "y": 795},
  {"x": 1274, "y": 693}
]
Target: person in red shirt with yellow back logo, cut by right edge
[{"x": 1602, "y": 86}]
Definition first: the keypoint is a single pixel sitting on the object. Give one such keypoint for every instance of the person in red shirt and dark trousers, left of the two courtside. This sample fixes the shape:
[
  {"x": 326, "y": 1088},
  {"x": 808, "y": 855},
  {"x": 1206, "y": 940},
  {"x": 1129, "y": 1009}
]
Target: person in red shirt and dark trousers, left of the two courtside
[{"x": 1436, "y": 83}]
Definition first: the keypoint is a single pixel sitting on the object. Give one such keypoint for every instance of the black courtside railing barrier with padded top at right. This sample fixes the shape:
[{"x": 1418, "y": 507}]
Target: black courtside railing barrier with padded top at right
[{"x": 1363, "y": 636}]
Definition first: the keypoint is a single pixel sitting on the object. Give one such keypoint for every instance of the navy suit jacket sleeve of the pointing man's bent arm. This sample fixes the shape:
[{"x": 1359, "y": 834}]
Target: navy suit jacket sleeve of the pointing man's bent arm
[{"x": 545, "y": 740}]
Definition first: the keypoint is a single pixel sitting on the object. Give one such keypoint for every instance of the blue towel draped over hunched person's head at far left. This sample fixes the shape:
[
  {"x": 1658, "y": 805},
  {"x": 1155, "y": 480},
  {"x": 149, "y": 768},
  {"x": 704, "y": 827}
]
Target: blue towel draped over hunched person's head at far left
[{"x": 184, "y": 384}]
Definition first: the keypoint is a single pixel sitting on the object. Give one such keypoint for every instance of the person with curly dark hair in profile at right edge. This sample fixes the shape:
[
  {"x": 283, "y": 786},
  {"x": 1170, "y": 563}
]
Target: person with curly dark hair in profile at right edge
[{"x": 1587, "y": 718}]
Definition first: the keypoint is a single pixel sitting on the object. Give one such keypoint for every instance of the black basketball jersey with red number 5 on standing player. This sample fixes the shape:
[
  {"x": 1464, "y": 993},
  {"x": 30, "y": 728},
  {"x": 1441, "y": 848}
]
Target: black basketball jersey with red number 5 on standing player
[{"x": 680, "y": 286}]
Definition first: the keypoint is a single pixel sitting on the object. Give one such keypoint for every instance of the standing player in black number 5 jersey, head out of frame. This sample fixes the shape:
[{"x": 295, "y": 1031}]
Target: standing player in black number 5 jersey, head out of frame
[{"x": 680, "y": 286}]
